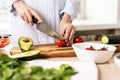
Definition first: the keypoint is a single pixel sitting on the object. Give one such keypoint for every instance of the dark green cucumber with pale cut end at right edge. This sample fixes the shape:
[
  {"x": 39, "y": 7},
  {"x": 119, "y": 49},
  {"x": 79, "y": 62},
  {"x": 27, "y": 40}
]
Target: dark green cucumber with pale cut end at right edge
[{"x": 113, "y": 39}]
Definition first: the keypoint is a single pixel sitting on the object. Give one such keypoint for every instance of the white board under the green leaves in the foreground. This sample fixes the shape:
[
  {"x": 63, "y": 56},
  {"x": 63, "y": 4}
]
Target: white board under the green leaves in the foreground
[{"x": 86, "y": 70}]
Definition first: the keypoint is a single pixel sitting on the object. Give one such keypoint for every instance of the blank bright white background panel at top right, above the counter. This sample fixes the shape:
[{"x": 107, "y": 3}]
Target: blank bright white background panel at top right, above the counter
[{"x": 102, "y": 9}]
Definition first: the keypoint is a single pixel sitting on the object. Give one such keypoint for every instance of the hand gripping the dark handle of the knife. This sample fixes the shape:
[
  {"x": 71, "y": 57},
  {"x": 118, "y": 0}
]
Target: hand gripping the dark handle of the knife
[{"x": 26, "y": 12}]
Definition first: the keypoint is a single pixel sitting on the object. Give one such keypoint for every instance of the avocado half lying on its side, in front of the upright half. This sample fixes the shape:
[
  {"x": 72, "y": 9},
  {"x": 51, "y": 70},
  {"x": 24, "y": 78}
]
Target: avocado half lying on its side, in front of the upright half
[{"x": 26, "y": 56}]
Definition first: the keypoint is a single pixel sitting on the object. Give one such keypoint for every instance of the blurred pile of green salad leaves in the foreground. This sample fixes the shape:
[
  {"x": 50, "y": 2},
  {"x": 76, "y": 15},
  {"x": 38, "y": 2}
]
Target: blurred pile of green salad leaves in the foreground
[{"x": 15, "y": 69}]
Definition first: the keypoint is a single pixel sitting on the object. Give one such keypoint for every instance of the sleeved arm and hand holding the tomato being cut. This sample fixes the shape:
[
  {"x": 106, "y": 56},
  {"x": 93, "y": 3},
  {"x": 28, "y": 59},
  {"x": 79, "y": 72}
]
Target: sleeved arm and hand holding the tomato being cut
[{"x": 70, "y": 11}]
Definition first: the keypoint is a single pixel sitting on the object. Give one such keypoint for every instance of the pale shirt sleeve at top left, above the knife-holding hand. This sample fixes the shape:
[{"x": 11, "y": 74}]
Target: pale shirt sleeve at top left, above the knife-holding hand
[{"x": 7, "y": 4}]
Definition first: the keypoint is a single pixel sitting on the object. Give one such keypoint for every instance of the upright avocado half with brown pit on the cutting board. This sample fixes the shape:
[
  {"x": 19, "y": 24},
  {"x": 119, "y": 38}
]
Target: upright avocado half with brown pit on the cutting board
[{"x": 25, "y": 43}]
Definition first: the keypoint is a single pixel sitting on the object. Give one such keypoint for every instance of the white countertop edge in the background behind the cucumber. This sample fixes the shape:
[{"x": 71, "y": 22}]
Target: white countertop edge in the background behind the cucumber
[{"x": 84, "y": 25}]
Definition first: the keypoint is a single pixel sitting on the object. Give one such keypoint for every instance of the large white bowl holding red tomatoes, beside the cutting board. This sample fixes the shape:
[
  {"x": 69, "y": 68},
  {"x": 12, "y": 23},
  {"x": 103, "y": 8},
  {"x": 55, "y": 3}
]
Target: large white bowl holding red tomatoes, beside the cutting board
[{"x": 96, "y": 56}]
